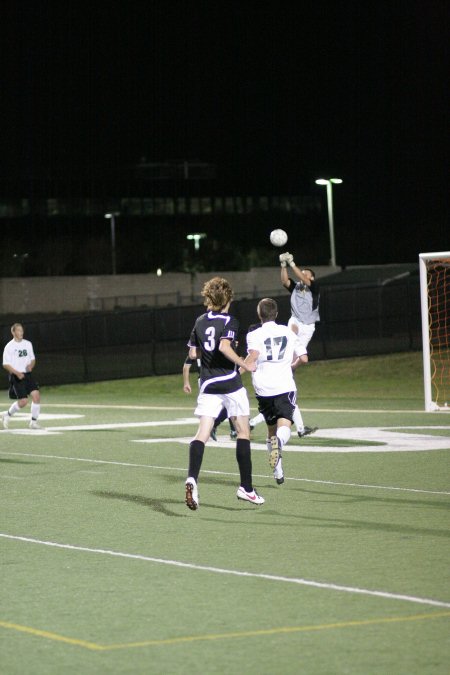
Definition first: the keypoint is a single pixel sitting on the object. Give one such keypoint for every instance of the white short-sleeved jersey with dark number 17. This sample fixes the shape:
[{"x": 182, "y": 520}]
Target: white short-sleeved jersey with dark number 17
[{"x": 276, "y": 346}]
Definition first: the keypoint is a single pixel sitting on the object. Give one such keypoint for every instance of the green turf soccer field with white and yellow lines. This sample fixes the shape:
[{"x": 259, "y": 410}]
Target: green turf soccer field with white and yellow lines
[{"x": 344, "y": 569}]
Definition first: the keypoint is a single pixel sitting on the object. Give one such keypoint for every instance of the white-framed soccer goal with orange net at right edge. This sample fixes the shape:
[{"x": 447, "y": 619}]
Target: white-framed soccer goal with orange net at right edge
[{"x": 435, "y": 306}]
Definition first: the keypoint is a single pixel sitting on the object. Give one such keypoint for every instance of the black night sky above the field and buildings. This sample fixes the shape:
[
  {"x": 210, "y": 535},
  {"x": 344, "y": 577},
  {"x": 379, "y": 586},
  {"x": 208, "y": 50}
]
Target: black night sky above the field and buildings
[{"x": 279, "y": 93}]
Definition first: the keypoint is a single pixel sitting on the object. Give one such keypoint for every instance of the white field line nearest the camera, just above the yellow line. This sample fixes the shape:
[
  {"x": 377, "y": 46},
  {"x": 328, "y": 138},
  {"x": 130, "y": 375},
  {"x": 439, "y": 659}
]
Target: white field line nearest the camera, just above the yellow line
[{"x": 219, "y": 570}]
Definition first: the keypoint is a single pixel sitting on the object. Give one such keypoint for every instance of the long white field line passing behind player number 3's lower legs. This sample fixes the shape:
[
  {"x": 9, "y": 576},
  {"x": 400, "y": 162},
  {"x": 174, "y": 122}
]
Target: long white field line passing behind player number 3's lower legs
[{"x": 220, "y": 473}]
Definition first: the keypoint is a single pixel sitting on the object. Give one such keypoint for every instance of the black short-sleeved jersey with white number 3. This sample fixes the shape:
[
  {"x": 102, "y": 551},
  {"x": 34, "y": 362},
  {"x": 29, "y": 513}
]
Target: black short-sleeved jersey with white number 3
[{"x": 218, "y": 375}]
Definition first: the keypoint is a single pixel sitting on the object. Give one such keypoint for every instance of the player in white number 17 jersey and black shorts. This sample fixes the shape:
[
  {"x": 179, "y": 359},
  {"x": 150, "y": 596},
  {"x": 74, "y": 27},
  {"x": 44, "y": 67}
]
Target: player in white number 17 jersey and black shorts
[{"x": 273, "y": 349}]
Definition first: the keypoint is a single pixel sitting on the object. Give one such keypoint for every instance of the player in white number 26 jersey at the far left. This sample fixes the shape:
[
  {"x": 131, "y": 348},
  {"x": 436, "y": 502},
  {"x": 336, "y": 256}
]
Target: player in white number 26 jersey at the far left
[{"x": 19, "y": 361}]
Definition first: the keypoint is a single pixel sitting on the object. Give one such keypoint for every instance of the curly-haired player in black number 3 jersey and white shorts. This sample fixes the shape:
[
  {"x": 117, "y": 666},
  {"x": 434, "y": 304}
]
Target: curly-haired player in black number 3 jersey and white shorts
[{"x": 212, "y": 340}]
